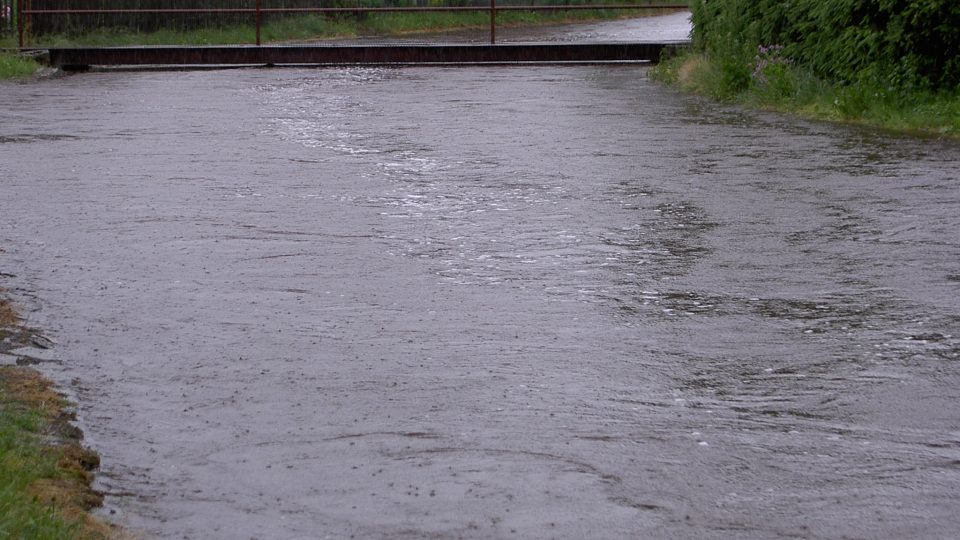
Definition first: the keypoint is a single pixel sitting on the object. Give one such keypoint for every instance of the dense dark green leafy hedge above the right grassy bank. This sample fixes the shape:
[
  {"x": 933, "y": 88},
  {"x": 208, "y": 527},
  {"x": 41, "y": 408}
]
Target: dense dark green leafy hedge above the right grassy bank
[{"x": 900, "y": 43}]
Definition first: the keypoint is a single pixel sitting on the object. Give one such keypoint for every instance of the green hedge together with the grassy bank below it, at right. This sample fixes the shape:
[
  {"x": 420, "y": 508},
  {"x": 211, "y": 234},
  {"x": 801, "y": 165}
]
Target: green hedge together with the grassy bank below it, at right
[{"x": 894, "y": 65}]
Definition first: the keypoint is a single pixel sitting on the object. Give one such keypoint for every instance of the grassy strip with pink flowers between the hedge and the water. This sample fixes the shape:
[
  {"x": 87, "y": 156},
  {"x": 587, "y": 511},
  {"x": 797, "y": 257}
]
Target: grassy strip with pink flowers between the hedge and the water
[{"x": 777, "y": 83}]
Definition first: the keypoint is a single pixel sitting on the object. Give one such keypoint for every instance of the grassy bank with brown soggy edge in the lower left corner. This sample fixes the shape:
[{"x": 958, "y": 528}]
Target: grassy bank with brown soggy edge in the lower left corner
[{"x": 44, "y": 471}]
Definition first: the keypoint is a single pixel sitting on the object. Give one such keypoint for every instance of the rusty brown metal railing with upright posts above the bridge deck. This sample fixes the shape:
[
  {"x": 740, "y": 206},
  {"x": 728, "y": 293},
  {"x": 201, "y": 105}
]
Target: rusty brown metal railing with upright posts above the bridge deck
[{"x": 25, "y": 12}]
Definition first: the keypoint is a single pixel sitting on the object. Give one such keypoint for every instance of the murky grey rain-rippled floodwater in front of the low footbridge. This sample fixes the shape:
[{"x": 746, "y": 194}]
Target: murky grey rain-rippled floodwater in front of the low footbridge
[{"x": 530, "y": 302}]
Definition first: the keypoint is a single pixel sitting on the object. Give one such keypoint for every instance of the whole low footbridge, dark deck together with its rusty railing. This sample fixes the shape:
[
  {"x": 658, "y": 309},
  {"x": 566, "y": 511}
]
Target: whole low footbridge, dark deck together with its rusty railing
[{"x": 398, "y": 53}]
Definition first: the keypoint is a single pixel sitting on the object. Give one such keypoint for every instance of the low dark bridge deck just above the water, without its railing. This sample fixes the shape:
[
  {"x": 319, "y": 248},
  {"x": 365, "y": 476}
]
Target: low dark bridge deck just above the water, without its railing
[{"x": 84, "y": 57}]
